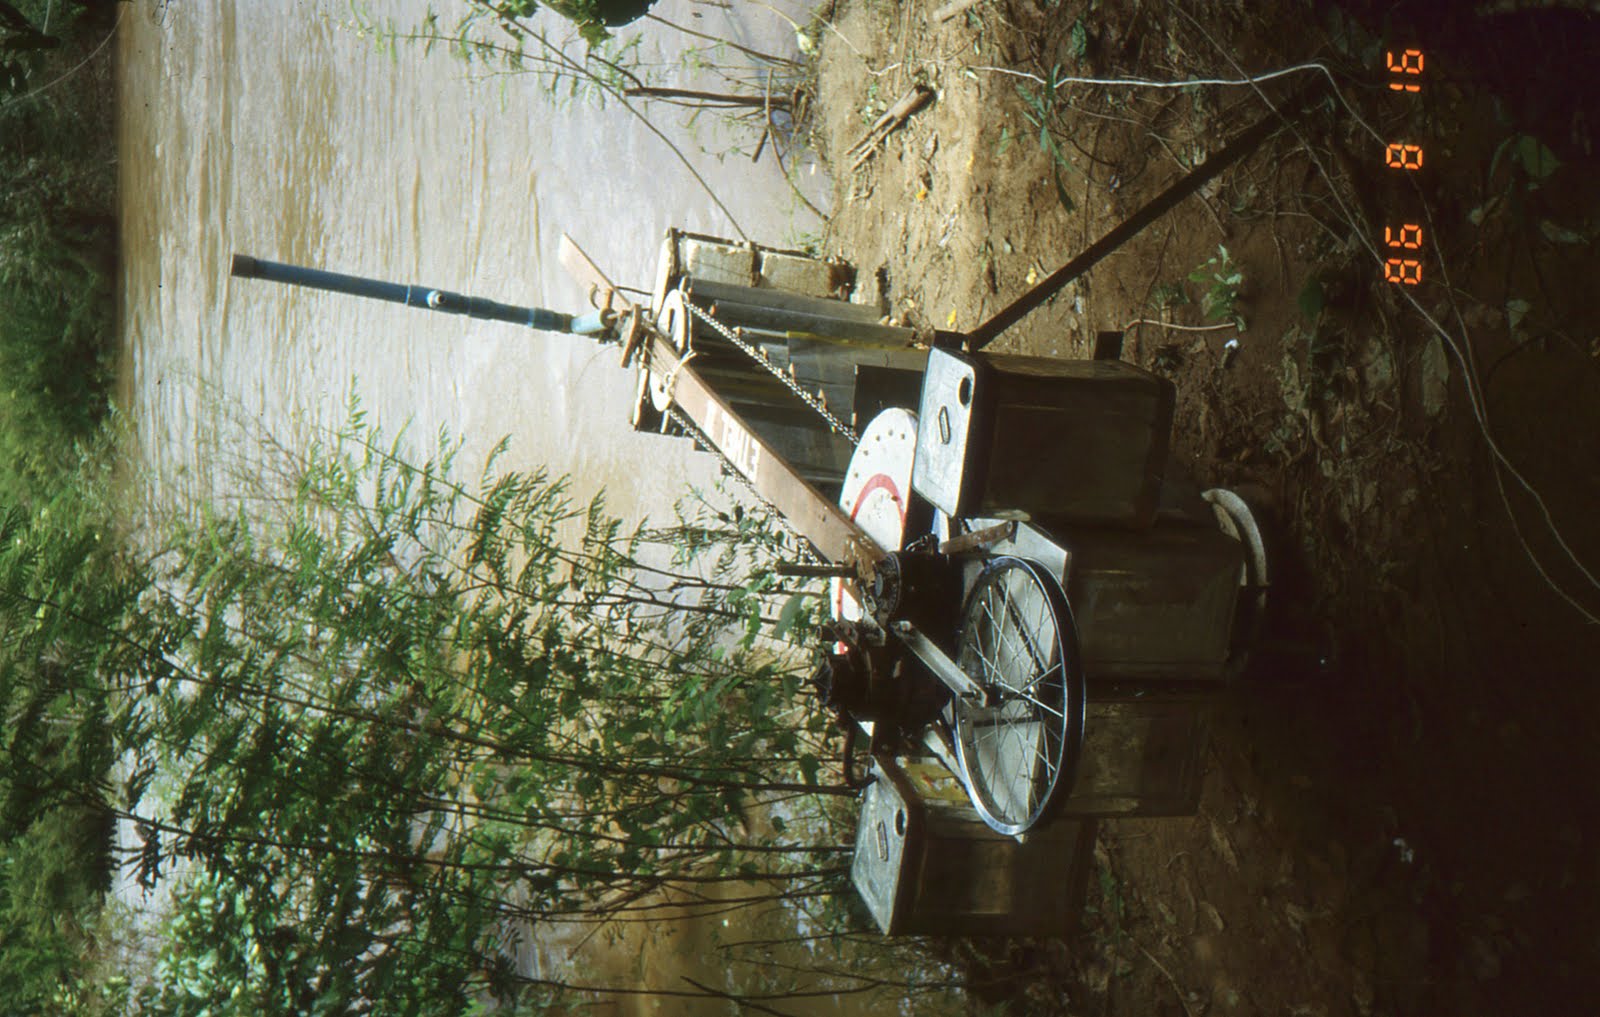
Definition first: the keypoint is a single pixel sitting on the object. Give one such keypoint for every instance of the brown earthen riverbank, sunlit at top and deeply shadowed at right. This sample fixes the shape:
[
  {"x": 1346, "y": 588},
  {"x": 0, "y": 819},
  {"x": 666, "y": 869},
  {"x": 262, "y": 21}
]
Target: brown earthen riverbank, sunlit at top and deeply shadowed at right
[{"x": 1399, "y": 810}]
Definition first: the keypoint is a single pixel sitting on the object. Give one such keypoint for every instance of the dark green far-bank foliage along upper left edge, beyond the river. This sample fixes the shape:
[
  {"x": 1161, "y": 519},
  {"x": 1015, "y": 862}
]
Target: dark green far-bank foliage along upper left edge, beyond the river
[{"x": 57, "y": 245}]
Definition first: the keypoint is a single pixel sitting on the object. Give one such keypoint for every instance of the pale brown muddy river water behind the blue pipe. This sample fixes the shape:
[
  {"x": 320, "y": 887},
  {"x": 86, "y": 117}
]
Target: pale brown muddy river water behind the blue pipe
[{"x": 276, "y": 129}]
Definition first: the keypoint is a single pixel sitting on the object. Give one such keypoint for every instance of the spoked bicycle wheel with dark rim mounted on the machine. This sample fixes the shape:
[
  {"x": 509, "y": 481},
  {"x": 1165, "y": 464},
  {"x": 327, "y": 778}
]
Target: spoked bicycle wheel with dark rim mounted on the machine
[{"x": 1020, "y": 749}]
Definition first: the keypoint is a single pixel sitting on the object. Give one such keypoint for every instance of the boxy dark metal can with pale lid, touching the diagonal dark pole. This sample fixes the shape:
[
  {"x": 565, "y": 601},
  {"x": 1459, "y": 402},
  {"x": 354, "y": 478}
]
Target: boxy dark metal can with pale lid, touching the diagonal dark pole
[{"x": 1068, "y": 441}]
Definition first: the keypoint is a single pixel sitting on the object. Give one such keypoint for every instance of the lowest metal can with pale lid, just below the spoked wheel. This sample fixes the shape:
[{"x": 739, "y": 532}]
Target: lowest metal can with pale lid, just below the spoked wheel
[{"x": 926, "y": 864}]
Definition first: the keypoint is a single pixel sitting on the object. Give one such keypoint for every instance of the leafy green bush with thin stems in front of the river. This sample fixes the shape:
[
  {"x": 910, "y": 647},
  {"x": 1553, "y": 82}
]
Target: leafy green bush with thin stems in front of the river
[{"x": 378, "y": 724}]
